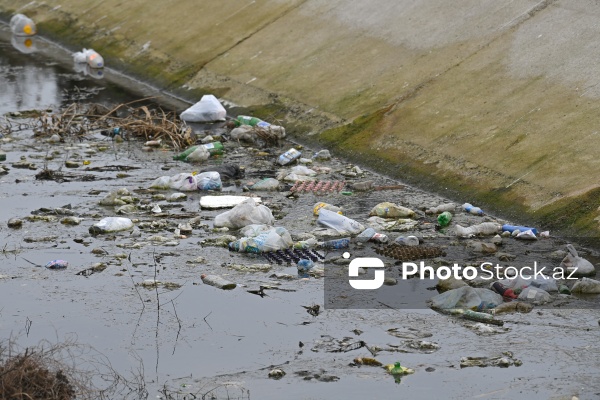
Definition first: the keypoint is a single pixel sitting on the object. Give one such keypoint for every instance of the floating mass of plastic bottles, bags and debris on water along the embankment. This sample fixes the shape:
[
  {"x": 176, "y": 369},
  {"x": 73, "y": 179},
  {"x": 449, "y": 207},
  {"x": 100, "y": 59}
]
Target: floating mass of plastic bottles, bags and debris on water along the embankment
[{"x": 261, "y": 209}]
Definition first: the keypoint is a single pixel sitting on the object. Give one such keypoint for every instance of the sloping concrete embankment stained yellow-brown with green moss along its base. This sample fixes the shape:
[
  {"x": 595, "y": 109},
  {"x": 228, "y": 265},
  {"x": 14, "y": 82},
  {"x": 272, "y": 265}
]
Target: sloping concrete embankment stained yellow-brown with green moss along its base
[{"x": 494, "y": 102}]
